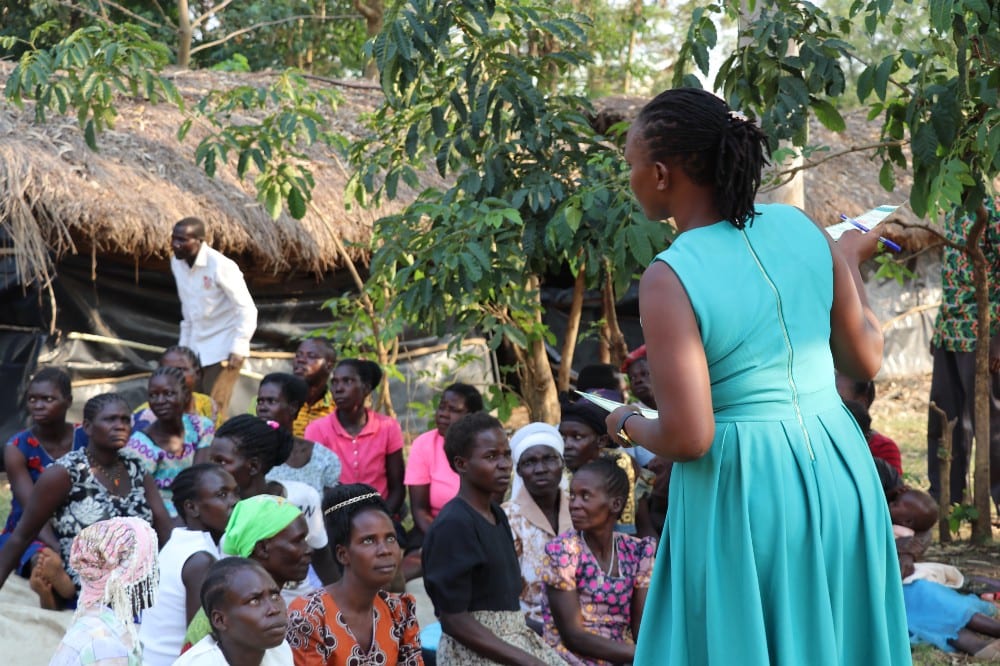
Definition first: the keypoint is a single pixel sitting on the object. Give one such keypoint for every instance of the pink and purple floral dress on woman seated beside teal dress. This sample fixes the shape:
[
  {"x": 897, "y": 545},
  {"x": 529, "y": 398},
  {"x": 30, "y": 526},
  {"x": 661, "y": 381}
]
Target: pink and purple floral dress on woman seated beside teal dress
[{"x": 605, "y": 601}]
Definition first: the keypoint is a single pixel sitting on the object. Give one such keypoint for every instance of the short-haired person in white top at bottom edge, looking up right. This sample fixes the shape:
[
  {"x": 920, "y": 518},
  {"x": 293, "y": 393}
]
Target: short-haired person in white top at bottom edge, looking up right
[{"x": 247, "y": 615}]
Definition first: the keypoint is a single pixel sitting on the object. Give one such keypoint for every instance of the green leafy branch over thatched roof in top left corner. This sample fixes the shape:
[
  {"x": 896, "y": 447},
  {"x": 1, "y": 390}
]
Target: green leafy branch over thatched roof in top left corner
[{"x": 86, "y": 70}]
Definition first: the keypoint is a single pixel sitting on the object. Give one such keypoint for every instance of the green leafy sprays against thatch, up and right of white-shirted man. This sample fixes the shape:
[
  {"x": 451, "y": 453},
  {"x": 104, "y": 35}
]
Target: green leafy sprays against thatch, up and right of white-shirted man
[{"x": 274, "y": 144}]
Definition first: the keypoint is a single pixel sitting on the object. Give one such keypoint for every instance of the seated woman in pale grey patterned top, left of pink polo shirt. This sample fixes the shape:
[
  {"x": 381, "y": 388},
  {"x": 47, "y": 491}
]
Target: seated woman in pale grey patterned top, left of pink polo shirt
[{"x": 279, "y": 398}]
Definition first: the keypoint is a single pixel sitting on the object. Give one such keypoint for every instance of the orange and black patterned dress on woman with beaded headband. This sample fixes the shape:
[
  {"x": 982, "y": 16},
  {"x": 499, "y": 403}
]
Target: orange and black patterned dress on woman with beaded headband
[{"x": 319, "y": 635}]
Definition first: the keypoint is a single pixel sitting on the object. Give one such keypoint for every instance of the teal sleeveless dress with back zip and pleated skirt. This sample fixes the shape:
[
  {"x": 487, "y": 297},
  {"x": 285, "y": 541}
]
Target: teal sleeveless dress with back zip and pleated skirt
[{"x": 778, "y": 547}]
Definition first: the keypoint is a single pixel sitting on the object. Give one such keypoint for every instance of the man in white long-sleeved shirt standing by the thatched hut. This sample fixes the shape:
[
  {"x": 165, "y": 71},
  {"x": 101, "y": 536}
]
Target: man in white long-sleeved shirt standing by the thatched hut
[{"x": 219, "y": 316}]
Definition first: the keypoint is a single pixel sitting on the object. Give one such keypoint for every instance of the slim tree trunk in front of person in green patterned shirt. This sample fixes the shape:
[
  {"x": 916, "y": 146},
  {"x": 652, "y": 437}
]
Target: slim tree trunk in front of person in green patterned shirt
[{"x": 982, "y": 528}]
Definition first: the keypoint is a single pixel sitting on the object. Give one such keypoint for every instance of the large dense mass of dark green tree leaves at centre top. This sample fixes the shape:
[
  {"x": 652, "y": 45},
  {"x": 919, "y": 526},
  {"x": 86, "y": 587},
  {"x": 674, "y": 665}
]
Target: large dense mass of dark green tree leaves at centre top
[{"x": 532, "y": 186}]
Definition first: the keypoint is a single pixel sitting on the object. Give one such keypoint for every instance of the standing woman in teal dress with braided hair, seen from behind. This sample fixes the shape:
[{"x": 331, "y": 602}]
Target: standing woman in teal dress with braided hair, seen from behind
[{"x": 778, "y": 546}]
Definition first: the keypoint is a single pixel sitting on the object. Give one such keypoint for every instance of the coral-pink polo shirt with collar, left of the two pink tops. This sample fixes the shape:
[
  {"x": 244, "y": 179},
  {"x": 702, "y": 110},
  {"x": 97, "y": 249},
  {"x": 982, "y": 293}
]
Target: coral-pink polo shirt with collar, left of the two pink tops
[{"x": 362, "y": 456}]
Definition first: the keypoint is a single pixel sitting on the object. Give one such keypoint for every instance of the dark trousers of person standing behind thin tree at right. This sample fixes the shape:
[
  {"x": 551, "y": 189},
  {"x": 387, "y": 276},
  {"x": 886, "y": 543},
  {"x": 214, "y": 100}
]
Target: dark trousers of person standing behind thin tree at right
[{"x": 953, "y": 390}]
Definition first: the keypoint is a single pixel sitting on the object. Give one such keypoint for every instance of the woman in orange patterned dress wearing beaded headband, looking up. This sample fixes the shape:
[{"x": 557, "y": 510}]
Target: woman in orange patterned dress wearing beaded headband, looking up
[{"x": 355, "y": 620}]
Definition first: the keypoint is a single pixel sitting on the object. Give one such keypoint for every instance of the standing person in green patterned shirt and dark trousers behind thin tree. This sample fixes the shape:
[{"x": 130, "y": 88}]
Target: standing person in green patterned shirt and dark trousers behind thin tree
[{"x": 953, "y": 348}]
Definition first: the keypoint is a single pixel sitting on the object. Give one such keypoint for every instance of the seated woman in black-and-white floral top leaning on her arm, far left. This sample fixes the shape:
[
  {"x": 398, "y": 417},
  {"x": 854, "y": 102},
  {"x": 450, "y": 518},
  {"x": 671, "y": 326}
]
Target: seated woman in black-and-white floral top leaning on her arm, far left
[{"x": 87, "y": 486}]
